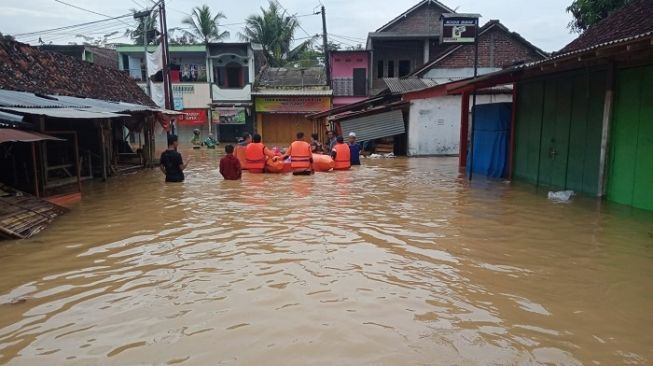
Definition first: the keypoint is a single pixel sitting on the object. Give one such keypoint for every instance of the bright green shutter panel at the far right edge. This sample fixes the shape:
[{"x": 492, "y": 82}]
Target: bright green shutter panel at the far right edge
[{"x": 631, "y": 163}]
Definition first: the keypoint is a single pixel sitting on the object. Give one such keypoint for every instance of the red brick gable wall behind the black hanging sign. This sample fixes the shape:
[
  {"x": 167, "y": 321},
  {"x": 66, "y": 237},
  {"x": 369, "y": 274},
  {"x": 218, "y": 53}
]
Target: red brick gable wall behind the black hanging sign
[{"x": 496, "y": 49}]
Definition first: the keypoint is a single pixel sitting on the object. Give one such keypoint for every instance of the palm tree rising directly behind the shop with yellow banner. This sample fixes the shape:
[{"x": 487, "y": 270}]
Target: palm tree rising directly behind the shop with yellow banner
[{"x": 274, "y": 30}]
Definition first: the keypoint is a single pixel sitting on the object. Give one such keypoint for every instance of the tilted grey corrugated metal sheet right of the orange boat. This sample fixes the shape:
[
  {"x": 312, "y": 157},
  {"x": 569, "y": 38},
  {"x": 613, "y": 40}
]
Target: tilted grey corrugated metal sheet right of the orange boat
[{"x": 375, "y": 126}]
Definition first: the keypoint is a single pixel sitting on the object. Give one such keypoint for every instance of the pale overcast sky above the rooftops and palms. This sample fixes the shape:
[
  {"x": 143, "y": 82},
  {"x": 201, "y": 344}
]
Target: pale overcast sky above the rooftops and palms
[{"x": 543, "y": 22}]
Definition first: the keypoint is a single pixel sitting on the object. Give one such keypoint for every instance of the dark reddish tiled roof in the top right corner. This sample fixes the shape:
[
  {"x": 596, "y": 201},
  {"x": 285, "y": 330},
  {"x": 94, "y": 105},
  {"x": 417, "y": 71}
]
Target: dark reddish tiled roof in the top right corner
[{"x": 632, "y": 20}]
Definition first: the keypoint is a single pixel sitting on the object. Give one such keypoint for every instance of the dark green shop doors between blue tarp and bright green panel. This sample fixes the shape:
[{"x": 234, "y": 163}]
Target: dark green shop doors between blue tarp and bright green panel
[{"x": 558, "y": 131}]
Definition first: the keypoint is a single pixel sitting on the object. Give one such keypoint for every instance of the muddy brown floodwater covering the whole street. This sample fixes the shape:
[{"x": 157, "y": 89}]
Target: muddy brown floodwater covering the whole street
[{"x": 398, "y": 262}]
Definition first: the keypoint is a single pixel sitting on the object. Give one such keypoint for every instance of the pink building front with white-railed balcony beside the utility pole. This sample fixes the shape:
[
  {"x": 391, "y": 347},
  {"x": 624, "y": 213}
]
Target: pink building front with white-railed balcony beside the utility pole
[{"x": 349, "y": 76}]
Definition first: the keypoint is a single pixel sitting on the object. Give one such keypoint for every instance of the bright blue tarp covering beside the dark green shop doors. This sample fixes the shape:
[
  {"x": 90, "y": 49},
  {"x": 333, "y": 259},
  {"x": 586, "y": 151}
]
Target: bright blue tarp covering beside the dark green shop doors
[{"x": 491, "y": 140}]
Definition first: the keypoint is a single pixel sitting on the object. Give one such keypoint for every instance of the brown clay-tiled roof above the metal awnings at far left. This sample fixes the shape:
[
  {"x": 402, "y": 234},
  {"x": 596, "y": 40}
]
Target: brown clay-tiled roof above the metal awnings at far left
[{"x": 25, "y": 68}]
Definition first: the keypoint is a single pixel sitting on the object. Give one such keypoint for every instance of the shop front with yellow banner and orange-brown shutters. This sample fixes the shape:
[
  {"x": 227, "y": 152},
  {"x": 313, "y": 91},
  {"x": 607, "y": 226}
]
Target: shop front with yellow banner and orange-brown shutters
[{"x": 279, "y": 118}]
